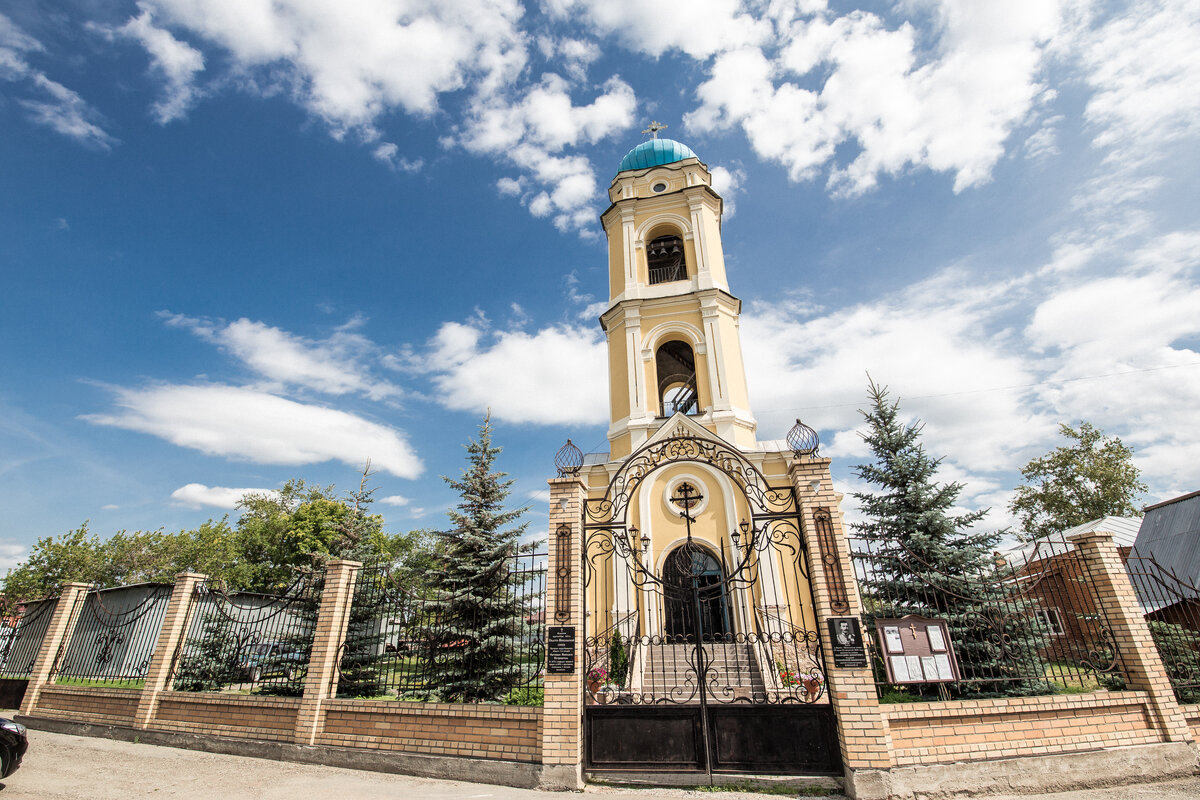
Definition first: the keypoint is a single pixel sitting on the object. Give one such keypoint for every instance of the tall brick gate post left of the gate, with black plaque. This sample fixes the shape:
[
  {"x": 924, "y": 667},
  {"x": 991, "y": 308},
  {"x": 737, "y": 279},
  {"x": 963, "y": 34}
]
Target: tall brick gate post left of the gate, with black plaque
[{"x": 562, "y": 723}]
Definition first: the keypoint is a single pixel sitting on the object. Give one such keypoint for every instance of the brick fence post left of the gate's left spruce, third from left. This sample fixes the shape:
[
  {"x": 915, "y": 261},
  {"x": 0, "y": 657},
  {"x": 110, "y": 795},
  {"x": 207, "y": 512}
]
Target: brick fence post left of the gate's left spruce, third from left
[{"x": 333, "y": 619}]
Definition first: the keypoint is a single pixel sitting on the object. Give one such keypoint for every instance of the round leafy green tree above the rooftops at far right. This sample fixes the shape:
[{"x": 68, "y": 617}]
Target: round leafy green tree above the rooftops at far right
[{"x": 1093, "y": 478}]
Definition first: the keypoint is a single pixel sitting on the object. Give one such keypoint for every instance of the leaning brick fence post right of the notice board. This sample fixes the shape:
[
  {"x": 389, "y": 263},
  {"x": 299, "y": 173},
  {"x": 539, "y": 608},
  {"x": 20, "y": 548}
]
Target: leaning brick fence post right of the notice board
[{"x": 1136, "y": 645}]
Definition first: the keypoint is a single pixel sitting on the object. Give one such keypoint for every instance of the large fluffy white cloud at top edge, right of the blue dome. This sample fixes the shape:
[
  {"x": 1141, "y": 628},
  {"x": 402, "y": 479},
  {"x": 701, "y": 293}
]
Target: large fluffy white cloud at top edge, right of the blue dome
[{"x": 947, "y": 111}]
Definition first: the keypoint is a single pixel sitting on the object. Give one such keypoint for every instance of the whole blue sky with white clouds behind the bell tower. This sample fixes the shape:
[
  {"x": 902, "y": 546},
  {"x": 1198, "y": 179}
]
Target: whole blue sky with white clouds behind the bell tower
[{"x": 244, "y": 242}]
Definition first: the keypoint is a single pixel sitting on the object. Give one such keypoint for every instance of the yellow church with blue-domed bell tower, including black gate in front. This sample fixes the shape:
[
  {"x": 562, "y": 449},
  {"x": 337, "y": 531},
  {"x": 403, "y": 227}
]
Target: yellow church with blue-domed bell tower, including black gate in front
[{"x": 698, "y": 573}]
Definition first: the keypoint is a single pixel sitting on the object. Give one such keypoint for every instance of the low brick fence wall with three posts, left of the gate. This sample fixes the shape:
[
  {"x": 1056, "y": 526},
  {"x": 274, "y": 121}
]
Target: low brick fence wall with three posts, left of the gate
[{"x": 472, "y": 732}]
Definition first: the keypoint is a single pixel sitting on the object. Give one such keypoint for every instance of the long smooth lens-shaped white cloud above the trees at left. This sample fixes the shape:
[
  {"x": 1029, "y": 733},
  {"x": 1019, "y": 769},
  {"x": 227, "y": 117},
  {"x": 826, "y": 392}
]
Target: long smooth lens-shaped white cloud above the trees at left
[{"x": 247, "y": 424}]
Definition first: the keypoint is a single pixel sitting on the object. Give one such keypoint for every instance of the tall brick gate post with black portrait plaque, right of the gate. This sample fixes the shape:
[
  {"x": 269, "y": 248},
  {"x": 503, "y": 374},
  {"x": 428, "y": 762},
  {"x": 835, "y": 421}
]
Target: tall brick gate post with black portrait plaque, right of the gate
[{"x": 862, "y": 731}]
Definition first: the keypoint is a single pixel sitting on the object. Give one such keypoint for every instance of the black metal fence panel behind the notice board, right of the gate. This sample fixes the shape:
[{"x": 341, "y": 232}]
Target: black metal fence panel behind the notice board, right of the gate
[{"x": 1025, "y": 624}]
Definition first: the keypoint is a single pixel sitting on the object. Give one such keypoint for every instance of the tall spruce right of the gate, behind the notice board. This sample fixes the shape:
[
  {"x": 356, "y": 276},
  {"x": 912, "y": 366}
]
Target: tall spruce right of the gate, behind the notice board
[{"x": 927, "y": 561}]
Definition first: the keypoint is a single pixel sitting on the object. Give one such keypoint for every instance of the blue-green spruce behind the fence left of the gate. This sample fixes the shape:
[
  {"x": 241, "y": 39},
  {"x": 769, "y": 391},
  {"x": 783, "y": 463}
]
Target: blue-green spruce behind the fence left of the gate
[{"x": 477, "y": 613}]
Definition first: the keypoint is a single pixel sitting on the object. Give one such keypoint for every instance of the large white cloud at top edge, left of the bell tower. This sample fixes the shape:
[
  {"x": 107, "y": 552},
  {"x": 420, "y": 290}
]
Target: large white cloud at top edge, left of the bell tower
[{"x": 352, "y": 63}]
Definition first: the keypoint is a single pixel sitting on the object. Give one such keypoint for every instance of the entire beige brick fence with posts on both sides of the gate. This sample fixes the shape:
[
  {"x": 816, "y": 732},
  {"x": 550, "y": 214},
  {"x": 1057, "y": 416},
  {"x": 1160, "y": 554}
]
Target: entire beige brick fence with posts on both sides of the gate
[{"x": 887, "y": 749}]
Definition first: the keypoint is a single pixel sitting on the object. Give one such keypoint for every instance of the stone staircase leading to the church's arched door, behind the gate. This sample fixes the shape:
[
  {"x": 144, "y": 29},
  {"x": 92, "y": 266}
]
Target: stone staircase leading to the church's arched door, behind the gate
[{"x": 733, "y": 672}]
